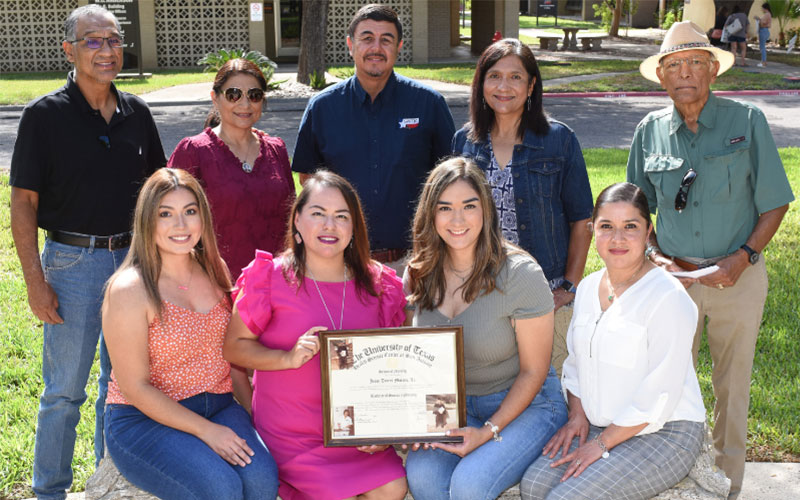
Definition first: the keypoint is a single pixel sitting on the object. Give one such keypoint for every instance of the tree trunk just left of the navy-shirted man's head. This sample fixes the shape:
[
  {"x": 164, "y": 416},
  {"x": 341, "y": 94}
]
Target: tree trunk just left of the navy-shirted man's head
[{"x": 312, "y": 39}]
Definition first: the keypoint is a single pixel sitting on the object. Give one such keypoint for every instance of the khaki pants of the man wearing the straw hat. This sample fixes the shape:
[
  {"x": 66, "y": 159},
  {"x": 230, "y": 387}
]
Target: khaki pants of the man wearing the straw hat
[{"x": 734, "y": 316}]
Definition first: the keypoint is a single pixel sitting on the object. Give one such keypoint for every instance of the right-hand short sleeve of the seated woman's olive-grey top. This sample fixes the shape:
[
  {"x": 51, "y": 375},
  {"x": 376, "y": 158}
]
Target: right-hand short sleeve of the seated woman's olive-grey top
[{"x": 525, "y": 292}]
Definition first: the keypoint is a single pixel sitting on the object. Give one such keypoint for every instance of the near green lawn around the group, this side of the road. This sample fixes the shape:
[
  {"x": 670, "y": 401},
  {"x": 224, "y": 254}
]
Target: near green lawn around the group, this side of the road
[{"x": 774, "y": 429}]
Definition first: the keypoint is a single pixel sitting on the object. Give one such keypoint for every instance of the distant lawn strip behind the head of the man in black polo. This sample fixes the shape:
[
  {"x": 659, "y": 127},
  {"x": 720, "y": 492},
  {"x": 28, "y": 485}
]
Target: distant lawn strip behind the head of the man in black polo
[{"x": 19, "y": 88}]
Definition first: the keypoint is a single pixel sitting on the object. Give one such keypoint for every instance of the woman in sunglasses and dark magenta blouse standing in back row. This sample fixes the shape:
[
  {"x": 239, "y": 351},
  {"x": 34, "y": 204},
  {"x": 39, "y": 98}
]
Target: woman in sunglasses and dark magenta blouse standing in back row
[{"x": 244, "y": 171}]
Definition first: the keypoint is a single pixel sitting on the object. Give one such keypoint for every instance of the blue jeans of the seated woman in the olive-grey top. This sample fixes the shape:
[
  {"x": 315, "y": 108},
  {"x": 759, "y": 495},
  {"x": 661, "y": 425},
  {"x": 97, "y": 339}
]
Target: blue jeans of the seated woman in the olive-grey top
[{"x": 495, "y": 466}]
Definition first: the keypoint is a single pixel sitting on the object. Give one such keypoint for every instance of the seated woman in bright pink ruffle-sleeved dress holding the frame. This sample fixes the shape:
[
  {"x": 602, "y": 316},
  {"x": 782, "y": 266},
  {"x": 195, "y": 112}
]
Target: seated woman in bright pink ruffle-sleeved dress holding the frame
[{"x": 325, "y": 279}]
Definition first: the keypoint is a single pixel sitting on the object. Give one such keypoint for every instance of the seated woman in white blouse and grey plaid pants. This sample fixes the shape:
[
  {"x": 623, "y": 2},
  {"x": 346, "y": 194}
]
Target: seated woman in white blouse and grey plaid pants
[{"x": 636, "y": 415}]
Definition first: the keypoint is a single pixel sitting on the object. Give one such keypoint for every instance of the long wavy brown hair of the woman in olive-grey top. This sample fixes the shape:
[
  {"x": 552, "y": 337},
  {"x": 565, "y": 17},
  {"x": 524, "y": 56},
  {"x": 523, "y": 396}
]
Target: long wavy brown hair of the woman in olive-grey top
[{"x": 426, "y": 268}]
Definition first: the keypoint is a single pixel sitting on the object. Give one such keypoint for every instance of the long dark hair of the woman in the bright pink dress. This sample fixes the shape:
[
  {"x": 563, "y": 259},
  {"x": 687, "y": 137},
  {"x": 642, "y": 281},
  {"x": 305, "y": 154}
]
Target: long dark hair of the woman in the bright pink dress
[{"x": 356, "y": 255}]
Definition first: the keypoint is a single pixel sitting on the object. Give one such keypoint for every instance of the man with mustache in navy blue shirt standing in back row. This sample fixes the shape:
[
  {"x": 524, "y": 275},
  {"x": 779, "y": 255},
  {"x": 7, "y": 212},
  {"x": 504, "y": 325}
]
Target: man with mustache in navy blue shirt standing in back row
[{"x": 381, "y": 131}]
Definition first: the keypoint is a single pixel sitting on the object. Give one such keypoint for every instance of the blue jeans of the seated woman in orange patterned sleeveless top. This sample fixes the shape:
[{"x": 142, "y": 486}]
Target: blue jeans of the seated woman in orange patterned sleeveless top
[{"x": 172, "y": 464}]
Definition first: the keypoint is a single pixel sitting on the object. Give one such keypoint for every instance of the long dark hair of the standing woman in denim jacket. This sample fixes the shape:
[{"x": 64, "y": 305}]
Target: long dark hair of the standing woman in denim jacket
[{"x": 482, "y": 117}]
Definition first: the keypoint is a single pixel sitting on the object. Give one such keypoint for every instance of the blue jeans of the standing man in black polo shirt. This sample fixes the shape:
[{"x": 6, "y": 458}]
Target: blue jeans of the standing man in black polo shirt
[{"x": 77, "y": 276}]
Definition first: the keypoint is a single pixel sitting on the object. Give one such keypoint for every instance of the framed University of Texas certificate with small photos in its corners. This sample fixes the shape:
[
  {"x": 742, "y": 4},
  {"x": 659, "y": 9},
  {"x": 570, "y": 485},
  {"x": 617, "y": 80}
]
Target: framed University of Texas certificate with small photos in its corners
[{"x": 392, "y": 385}]
